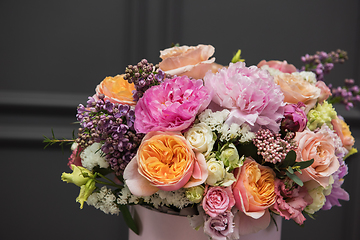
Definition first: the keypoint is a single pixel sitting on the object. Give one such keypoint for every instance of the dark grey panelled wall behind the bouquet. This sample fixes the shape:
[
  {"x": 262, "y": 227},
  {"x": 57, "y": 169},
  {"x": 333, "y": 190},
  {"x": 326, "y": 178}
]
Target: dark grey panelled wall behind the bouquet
[{"x": 54, "y": 53}]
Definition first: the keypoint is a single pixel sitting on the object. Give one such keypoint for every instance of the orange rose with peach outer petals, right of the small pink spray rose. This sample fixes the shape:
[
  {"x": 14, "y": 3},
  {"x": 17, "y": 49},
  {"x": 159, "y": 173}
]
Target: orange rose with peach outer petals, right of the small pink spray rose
[{"x": 254, "y": 190}]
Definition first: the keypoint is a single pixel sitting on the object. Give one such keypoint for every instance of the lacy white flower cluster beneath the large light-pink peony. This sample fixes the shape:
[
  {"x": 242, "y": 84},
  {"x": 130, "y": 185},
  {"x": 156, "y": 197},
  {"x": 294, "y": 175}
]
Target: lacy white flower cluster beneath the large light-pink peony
[{"x": 215, "y": 120}]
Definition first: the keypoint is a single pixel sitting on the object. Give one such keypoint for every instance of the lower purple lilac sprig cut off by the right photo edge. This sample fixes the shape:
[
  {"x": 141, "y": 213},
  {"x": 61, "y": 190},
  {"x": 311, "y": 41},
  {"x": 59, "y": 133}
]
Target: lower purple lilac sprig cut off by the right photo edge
[{"x": 348, "y": 95}]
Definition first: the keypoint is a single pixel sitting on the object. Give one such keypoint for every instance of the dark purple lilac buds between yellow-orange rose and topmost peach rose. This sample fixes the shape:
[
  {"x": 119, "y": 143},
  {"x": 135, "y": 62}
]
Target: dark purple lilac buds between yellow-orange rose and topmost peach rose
[{"x": 144, "y": 75}]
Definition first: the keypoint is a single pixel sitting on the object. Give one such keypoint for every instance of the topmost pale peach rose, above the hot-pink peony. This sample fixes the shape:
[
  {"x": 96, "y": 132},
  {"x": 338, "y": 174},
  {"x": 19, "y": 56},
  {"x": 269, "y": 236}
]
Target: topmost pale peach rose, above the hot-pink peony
[{"x": 190, "y": 61}]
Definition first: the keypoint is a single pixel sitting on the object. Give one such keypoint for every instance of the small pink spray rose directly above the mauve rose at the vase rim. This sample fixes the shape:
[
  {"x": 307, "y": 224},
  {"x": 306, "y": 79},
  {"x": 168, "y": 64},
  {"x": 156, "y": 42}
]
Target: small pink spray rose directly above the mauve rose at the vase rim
[{"x": 218, "y": 200}]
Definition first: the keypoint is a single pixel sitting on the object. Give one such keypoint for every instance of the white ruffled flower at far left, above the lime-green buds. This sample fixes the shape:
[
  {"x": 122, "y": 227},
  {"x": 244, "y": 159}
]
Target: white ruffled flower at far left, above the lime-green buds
[{"x": 92, "y": 156}]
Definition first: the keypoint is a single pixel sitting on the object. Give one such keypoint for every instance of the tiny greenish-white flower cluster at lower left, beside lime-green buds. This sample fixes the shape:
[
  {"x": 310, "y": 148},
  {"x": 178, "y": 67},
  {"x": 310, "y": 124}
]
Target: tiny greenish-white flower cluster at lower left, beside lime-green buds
[{"x": 104, "y": 200}]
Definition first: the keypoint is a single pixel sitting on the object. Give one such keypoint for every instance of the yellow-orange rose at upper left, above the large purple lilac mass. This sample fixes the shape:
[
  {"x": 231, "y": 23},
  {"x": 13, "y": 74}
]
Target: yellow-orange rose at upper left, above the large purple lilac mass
[{"x": 116, "y": 90}]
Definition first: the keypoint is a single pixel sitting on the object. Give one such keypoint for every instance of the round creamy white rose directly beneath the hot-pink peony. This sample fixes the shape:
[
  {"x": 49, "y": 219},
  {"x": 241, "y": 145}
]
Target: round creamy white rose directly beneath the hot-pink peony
[{"x": 201, "y": 138}]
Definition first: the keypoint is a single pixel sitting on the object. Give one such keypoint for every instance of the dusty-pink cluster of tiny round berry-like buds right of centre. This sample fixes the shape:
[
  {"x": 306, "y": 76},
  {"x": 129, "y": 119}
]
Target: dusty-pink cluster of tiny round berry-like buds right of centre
[{"x": 271, "y": 146}]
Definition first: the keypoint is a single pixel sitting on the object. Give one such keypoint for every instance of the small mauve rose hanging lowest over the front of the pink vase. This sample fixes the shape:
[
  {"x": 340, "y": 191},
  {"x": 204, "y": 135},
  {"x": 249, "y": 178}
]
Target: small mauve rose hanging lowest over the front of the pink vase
[{"x": 219, "y": 227}]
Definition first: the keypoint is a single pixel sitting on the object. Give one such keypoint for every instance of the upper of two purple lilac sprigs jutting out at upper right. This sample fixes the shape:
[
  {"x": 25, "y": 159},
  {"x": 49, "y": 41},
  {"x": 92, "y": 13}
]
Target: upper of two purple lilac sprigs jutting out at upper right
[{"x": 322, "y": 63}]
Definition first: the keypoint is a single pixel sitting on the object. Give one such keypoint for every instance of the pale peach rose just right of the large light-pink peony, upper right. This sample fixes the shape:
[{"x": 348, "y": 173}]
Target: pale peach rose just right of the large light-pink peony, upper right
[{"x": 296, "y": 89}]
